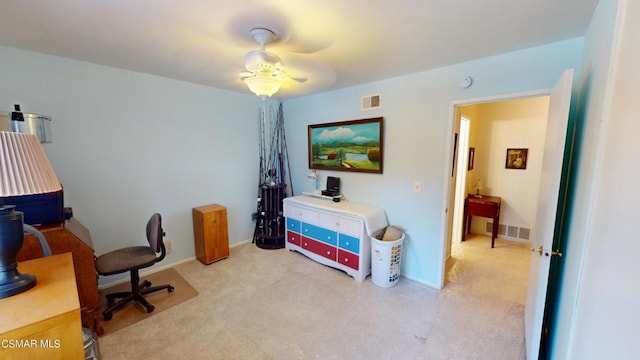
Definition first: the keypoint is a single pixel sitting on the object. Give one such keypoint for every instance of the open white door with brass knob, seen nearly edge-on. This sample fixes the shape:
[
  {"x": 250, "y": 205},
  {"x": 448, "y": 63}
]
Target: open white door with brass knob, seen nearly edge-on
[{"x": 542, "y": 234}]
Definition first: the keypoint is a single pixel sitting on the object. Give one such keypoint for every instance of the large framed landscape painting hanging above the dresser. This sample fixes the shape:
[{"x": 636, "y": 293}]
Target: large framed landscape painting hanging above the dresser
[{"x": 354, "y": 145}]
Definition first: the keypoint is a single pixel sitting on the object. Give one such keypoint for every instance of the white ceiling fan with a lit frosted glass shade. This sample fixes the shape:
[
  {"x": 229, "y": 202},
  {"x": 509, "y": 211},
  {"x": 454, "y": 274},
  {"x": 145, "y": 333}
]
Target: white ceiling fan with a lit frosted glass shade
[{"x": 264, "y": 72}]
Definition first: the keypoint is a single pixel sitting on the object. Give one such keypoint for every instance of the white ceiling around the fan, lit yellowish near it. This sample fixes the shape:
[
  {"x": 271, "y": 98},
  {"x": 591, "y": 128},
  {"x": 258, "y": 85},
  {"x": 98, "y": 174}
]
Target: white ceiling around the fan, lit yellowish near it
[{"x": 334, "y": 43}]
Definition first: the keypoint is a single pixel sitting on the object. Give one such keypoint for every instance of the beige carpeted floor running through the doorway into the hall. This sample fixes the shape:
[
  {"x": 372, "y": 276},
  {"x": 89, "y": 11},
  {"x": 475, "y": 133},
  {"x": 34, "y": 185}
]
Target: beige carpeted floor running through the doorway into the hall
[{"x": 276, "y": 304}]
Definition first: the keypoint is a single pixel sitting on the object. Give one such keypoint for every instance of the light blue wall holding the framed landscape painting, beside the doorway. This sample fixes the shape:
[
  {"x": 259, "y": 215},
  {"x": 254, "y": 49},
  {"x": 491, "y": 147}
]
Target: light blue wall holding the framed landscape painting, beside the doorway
[{"x": 418, "y": 128}]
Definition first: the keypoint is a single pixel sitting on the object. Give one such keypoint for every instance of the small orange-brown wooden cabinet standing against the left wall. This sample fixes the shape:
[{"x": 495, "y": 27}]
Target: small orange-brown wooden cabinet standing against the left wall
[{"x": 210, "y": 233}]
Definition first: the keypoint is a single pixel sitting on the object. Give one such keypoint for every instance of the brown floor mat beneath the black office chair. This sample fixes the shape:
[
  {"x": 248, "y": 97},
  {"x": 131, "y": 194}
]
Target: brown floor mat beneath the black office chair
[{"x": 162, "y": 300}]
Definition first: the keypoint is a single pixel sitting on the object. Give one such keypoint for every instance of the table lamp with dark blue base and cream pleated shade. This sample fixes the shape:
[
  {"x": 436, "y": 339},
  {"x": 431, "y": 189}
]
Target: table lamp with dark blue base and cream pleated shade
[{"x": 24, "y": 170}]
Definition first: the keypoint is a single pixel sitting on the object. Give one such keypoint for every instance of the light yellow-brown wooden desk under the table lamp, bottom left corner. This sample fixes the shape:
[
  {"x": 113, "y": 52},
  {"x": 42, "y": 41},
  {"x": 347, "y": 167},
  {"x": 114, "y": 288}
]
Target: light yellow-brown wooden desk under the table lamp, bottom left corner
[{"x": 43, "y": 322}]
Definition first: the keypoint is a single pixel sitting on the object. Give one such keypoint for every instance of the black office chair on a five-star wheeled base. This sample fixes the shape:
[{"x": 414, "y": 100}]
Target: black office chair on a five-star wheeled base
[{"x": 133, "y": 259}]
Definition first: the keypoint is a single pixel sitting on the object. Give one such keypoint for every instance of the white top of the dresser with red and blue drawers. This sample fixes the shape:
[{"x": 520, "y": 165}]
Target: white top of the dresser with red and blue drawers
[{"x": 374, "y": 218}]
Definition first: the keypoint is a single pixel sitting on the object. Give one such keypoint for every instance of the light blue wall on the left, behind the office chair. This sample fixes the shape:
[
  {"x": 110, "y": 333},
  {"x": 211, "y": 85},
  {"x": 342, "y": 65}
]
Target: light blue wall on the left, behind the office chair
[{"x": 127, "y": 144}]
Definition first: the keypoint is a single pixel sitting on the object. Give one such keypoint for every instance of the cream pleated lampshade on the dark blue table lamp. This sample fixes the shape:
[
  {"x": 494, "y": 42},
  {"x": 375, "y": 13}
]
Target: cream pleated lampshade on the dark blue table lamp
[{"x": 24, "y": 167}]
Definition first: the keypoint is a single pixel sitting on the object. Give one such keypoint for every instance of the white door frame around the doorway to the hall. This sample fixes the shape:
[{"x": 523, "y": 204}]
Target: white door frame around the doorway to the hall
[{"x": 449, "y": 181}]
